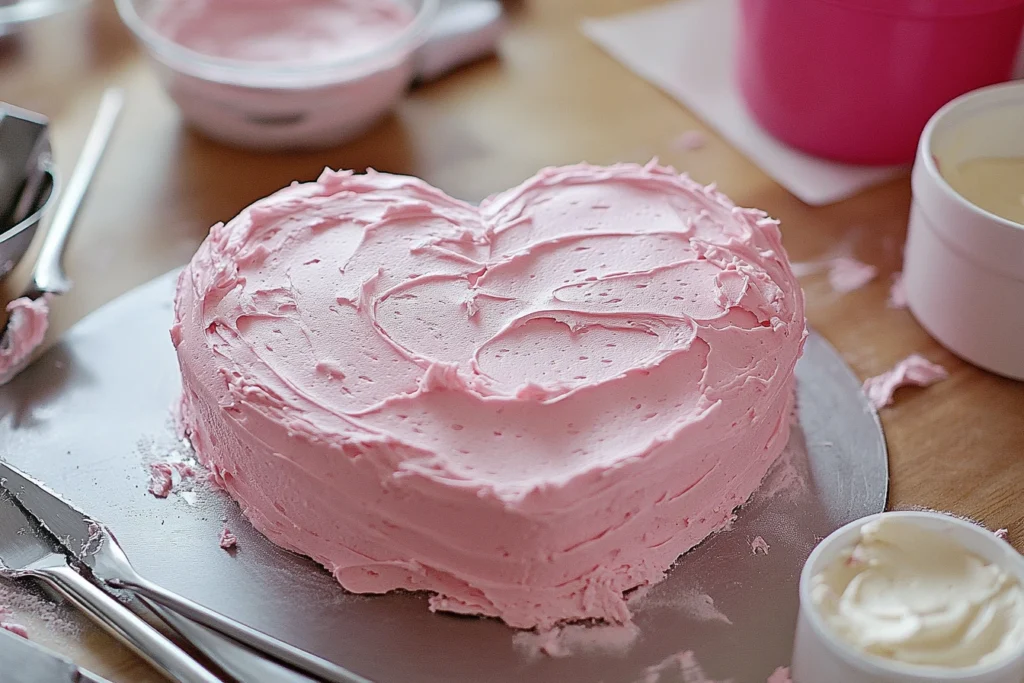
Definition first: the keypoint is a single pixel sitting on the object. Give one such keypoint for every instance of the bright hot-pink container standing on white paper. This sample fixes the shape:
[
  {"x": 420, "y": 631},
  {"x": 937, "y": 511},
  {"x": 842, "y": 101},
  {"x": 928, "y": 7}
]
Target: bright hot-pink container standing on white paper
[{"x": 858, "y": 80}]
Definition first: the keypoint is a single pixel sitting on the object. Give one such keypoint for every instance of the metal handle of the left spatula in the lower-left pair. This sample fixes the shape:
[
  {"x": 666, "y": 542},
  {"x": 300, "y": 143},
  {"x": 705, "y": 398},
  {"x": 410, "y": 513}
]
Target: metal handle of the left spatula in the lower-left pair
[{"x": 126, "y": 626}]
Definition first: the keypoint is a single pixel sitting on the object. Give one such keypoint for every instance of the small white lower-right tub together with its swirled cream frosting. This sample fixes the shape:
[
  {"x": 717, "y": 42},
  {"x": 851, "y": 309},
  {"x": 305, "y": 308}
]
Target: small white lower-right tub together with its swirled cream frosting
[{"x": 910, "y": 597}]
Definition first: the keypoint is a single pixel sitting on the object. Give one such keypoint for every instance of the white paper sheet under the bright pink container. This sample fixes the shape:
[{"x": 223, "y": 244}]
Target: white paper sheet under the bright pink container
[{"x": 688, "y": 50}]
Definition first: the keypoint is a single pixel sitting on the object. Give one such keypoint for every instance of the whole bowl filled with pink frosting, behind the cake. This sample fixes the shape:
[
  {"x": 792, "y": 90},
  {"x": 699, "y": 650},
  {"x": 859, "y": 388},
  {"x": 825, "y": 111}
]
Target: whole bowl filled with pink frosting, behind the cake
[{"x": 282, "y": 74}]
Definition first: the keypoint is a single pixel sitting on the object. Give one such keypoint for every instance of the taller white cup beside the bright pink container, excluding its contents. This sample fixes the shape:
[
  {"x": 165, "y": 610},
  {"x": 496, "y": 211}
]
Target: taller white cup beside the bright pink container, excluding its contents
[{"x": 964, "y": 267}]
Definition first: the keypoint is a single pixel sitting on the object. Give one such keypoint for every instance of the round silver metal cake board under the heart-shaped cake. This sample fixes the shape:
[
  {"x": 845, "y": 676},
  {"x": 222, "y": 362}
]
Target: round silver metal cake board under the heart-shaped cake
[{"x": 91, "y": 414}]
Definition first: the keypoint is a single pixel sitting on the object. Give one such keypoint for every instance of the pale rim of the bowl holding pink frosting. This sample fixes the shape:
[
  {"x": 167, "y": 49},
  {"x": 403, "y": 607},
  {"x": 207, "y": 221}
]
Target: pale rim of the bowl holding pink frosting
[{"x": 264, "y": 75}]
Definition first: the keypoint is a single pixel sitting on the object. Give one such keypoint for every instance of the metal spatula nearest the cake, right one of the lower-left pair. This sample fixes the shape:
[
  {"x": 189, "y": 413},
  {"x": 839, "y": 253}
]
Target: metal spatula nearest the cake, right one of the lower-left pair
[{"x": 95, "y": 546}]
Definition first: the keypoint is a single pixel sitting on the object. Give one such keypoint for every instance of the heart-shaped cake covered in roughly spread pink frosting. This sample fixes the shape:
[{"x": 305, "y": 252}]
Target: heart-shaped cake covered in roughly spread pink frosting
[{"x": 527, "y": 409}]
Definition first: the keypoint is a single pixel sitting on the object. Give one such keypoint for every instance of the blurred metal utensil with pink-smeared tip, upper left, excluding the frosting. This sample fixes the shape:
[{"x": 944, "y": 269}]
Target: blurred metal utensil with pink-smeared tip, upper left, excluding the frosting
[{"x": 49, "y": 277}]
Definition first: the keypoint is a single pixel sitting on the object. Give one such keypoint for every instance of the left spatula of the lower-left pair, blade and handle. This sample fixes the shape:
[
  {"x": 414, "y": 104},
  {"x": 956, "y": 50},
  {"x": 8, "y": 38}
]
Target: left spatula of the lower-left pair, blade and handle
[{"x": 27, "y": 551}]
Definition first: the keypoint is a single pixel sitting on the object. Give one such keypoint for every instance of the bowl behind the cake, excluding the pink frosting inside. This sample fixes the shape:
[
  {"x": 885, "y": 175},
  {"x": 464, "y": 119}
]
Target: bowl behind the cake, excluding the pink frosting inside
[{"x": 272, "y": 107}]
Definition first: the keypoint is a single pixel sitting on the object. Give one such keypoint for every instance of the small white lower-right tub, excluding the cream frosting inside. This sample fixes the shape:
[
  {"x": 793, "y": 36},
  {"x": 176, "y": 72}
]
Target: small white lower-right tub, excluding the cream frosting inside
[{"x": 821, "y": 657}]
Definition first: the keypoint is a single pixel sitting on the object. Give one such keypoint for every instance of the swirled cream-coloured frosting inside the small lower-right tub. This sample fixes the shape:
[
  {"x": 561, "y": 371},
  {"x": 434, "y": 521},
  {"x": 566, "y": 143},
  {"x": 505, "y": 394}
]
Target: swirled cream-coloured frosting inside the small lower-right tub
[{"x": 920, "y": 597}]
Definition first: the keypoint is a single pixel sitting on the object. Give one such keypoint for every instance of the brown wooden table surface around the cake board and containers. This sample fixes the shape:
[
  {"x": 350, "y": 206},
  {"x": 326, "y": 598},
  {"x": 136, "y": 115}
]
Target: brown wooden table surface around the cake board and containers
[{"x": 552, "y": 98}]
